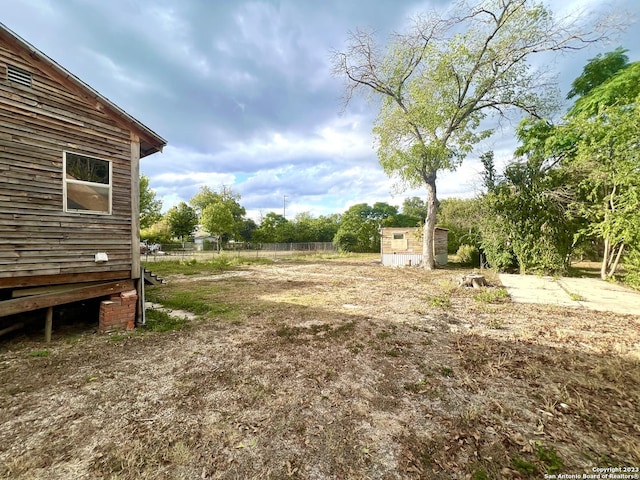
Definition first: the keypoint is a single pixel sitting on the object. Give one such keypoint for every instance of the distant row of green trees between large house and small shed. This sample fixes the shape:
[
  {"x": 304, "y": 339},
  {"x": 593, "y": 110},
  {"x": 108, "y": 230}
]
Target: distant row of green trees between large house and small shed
[{"x": 220, "y": 213}]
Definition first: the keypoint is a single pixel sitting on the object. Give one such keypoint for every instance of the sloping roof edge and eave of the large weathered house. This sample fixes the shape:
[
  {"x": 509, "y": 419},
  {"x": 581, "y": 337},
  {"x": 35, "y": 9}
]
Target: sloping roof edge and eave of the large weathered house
[{"x": 150, "y": 142}]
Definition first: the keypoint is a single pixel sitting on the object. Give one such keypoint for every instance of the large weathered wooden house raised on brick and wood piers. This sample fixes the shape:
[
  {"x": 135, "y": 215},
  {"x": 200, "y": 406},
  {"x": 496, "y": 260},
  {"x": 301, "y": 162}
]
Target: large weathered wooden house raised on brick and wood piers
[{"x": 69, "y": 190}]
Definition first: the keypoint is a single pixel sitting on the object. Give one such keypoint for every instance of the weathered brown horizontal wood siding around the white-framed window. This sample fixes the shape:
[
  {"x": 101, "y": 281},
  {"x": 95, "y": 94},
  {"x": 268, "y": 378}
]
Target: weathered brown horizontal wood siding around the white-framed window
[{"x": 37, "y": 238}]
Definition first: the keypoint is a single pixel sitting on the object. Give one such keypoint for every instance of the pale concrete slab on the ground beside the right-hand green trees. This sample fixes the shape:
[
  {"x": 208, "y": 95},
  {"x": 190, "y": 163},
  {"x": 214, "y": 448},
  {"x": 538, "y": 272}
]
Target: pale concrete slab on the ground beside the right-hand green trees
[{"x": 590, "y": 293}]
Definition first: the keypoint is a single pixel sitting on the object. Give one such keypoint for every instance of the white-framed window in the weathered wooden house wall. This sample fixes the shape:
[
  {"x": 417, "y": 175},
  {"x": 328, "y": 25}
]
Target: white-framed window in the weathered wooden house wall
[{"x": 87, "y": 184}]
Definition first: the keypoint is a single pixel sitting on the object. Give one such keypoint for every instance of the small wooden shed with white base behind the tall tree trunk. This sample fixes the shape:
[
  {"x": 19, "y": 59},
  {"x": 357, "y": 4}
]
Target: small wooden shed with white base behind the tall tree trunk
[{"x": 402, "y": 246}]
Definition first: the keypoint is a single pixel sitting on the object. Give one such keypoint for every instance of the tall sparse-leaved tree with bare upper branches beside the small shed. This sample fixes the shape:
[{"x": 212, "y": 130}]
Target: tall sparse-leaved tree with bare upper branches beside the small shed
[{"x": 440, "y": 80}]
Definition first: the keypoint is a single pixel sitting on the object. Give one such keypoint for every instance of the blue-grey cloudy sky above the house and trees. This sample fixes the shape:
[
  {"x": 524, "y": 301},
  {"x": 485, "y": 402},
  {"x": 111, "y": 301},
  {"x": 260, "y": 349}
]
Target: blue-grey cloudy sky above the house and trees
[{"x": 242, "y": 90}]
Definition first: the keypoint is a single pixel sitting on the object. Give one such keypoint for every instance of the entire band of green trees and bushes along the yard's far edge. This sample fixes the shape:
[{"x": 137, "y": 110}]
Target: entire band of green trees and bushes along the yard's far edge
[{"x": 571, "y": 191}]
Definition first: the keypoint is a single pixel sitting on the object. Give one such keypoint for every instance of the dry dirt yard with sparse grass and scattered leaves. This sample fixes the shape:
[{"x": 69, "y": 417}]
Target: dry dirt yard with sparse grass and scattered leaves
[{"x": 327, "y": 369}]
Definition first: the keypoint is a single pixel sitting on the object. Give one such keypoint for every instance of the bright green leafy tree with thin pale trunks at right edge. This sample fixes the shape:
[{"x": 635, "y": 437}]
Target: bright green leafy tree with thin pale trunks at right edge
[{"x": 606, "y": 160}]
